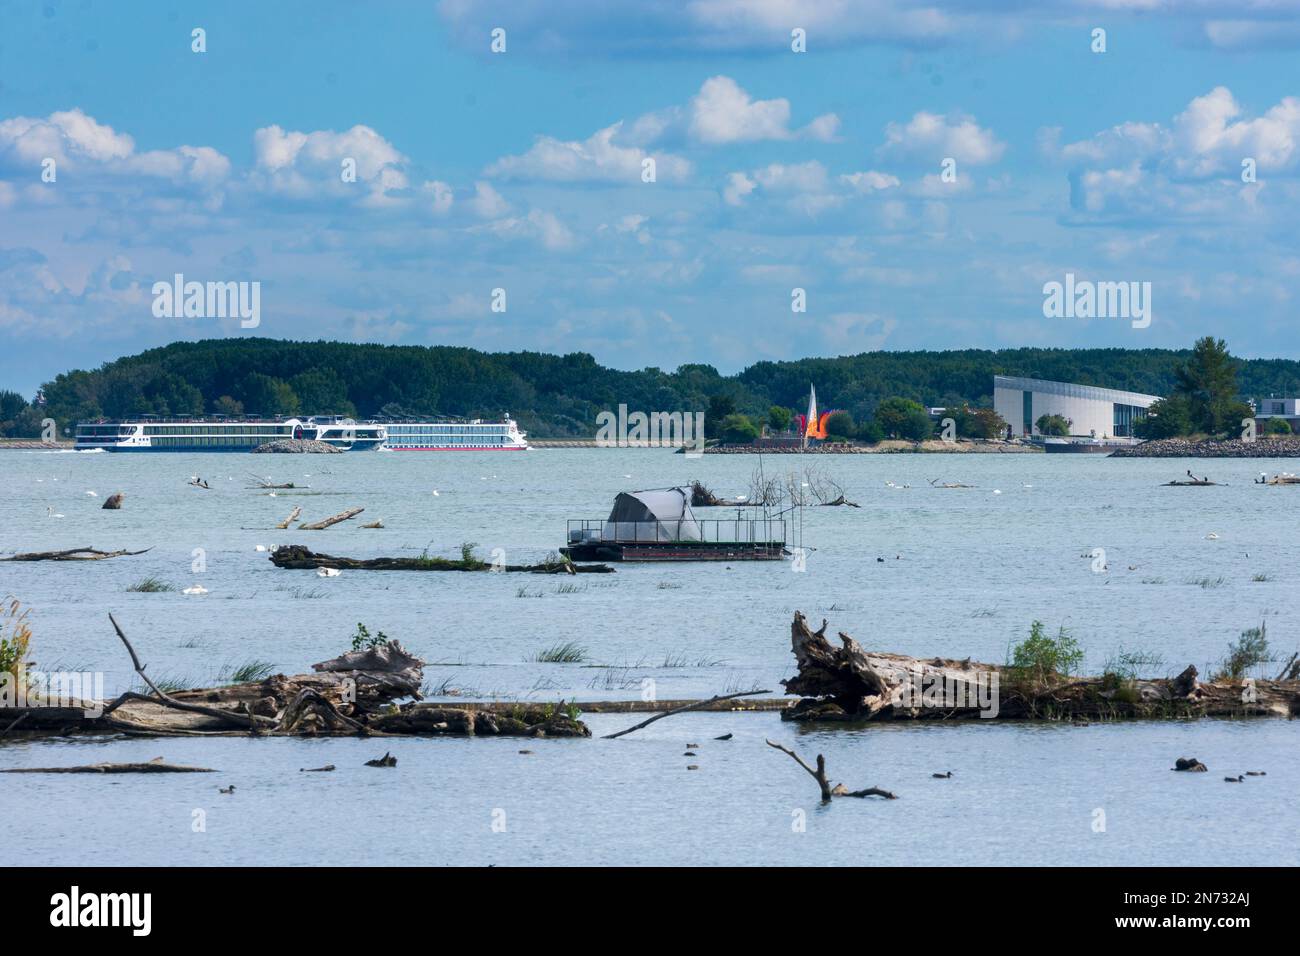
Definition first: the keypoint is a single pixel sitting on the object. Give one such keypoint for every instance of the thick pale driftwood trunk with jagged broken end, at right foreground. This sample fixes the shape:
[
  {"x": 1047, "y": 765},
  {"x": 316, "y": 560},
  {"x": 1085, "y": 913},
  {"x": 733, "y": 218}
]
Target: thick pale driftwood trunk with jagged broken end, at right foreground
[{"x": 850, "y": 684}]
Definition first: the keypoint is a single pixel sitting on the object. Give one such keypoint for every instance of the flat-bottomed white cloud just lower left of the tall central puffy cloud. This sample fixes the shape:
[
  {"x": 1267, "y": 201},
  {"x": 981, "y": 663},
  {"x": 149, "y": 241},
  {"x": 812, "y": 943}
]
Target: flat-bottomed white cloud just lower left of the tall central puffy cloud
[{"x": 597, "y": 159}]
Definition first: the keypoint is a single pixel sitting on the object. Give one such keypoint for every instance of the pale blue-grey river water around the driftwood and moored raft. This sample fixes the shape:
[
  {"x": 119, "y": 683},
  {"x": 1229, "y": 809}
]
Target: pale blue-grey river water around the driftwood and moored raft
[{"x": 965, "y": 573}]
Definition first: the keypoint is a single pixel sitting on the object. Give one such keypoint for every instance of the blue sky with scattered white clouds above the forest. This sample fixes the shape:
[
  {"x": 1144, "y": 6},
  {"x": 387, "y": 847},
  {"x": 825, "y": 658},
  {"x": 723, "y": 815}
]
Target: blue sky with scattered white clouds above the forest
[{"x": 522, "y": 171}]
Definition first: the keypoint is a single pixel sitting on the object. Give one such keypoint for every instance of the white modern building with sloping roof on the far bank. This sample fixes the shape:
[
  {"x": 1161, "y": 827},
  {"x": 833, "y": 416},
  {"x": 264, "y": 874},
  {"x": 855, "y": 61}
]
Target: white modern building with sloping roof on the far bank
[{"x": 1091, "y": 412}]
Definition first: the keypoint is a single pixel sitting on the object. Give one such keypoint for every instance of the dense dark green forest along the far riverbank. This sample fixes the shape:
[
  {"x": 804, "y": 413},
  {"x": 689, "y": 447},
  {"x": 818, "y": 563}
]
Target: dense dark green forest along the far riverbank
[{"x": 558, "y": 396}]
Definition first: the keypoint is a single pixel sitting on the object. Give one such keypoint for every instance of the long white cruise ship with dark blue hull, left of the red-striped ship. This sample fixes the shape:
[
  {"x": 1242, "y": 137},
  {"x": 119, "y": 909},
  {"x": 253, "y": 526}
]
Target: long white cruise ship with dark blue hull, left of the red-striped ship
[{"x": 224, "y": 435}]
